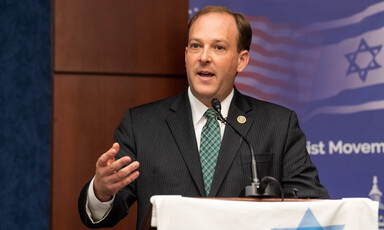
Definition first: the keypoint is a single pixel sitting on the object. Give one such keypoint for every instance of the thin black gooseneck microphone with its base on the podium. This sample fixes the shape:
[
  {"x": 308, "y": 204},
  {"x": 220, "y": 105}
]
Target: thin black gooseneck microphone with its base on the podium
[{"x": 257, "y": 188}]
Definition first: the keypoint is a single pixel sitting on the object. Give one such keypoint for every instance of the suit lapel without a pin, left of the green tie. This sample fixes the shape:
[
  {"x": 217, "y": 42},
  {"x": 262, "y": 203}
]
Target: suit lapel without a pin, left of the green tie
[{"x": 181, "y": 126}]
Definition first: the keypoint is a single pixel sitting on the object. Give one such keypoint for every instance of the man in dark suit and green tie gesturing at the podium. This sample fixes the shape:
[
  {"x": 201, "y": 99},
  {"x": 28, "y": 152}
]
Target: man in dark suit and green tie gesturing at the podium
[{"x": 165, "y": 137}]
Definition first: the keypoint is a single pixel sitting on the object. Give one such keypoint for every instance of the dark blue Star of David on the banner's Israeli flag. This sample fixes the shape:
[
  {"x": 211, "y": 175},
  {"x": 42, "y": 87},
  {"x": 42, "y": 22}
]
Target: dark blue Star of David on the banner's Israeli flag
[{"x": 363, "y": 49}]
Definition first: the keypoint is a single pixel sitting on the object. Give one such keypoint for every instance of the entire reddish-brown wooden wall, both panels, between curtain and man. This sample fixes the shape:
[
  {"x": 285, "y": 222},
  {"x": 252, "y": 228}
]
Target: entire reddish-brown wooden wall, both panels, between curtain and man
[{"x": 107, "y": 57}]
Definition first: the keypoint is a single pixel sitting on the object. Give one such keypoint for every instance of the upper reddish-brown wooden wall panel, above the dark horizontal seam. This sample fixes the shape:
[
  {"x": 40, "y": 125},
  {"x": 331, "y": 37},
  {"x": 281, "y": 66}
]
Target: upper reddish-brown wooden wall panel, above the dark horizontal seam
[{"x": 120, "y": 36}]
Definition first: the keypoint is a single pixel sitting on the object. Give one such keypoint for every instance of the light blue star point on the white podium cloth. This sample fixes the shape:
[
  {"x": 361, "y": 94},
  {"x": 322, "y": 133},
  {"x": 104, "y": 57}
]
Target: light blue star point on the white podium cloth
[{"x": 309, "y": 222}]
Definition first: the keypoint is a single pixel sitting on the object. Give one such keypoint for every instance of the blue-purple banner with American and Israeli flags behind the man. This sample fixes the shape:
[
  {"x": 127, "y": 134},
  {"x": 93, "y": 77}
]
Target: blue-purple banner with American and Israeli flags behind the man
[{"x": 325, "y": 60}]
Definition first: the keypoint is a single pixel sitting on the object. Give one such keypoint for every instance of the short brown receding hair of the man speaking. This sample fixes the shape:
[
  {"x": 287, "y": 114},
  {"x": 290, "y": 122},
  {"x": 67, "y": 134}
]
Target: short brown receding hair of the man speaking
[{"x": 243, "y": 26}]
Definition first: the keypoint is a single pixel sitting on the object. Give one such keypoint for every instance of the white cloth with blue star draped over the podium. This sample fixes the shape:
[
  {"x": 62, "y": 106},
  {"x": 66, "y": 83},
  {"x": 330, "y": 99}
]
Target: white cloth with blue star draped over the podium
[{"x": 176, "y": 212}]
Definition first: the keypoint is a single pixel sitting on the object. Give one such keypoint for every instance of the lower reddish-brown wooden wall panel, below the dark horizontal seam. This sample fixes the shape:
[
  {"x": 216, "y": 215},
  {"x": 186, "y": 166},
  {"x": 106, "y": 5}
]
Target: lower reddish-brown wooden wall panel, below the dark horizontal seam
[{"x": 87, "y": 109}]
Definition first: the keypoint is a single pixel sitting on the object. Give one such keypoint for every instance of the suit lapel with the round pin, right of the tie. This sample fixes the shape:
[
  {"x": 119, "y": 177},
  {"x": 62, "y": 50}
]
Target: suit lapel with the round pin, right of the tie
[{"x": 231, "y": 141}]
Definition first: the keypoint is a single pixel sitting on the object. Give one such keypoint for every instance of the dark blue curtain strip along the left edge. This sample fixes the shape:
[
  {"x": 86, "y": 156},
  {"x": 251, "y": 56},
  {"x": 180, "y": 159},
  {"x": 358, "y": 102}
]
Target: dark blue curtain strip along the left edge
[{"x": 25, "y": 102}]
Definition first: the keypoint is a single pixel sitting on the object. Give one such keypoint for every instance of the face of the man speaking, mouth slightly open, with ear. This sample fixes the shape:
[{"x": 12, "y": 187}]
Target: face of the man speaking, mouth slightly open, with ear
[{"x": 211, "y": 57}]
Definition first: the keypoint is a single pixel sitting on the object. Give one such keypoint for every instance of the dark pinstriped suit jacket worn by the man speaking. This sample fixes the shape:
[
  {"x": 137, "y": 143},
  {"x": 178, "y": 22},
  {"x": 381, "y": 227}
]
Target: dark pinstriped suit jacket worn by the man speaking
[{"x": 161, "y": 137}]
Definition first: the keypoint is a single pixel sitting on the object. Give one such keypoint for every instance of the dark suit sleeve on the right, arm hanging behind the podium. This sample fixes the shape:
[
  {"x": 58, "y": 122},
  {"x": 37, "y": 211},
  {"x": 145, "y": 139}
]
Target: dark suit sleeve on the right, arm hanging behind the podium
[{"x": 298, "y": 170}]
